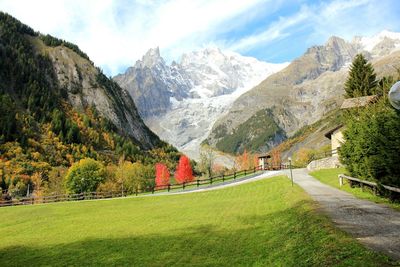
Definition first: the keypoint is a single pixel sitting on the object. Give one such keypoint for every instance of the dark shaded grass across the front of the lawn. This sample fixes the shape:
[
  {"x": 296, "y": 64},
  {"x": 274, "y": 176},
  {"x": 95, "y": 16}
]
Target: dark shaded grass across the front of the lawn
[{"x": 292, "y": 237}]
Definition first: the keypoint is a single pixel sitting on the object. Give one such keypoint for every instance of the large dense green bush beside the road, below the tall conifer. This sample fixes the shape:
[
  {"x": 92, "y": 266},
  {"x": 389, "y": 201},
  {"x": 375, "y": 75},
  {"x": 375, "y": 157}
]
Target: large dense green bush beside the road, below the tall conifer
[{"x": 372, "y": 144}]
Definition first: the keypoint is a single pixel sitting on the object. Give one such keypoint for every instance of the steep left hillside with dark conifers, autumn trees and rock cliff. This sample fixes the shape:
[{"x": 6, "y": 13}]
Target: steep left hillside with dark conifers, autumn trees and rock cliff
[{"x": 56, "y": 108}]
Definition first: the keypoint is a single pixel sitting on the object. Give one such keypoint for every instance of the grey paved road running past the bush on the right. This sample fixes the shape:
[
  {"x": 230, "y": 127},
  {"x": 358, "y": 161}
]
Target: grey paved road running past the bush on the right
[{"x": 374, "y": 225}]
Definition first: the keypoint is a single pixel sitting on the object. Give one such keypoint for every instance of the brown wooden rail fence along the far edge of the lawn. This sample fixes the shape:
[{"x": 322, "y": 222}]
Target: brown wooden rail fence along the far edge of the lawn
[{"x": 101, "y": 195}]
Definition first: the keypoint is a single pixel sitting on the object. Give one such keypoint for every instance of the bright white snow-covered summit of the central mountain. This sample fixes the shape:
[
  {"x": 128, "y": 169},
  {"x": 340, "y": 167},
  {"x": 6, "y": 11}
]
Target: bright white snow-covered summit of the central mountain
[{"x": 216, "y": 73}]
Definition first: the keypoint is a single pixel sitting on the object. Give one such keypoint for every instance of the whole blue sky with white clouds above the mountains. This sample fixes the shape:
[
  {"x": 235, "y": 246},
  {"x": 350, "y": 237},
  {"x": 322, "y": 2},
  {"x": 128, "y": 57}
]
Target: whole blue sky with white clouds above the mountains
[{"x": 117, "y": 33}]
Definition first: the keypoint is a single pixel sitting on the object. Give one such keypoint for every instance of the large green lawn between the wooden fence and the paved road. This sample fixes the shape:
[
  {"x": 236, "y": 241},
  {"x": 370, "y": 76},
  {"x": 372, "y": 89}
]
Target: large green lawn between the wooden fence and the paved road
[{"x": 264, "y": 223}]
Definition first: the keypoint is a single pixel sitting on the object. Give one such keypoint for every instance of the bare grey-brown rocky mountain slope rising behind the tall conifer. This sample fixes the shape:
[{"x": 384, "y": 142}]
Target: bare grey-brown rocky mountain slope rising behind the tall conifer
[{"x": 309, "y": 87}]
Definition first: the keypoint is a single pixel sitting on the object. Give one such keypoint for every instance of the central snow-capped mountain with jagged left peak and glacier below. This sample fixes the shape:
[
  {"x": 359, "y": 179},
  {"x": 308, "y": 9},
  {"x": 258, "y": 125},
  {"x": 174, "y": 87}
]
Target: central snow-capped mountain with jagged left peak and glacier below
[{"x": 182, "y": 101}]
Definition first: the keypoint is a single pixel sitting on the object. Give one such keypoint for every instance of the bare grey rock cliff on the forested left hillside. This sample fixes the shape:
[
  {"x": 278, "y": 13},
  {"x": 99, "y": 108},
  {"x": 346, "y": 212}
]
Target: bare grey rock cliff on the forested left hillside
[{"x": 88, "y": 87}]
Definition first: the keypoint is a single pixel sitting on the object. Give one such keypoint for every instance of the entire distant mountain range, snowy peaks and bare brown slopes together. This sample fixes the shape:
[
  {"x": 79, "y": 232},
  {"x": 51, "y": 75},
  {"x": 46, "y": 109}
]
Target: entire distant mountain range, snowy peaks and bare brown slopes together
[{"x": 234, "y": 103}]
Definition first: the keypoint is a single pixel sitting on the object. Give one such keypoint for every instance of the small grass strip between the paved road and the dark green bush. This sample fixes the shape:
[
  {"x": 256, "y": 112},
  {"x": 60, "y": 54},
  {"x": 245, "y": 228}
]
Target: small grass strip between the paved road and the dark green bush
[{"x": 330, "y": 177}]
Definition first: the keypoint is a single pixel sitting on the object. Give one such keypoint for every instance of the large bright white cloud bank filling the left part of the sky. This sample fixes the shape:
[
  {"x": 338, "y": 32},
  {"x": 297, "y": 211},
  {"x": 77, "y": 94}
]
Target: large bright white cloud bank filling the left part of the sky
[{"x": 114, "y": 34}]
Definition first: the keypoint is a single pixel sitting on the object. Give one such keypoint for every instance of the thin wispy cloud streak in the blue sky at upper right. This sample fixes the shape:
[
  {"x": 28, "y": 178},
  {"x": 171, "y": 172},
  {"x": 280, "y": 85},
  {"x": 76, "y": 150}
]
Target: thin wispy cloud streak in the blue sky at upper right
[{"x": 344, "y": 18}]
